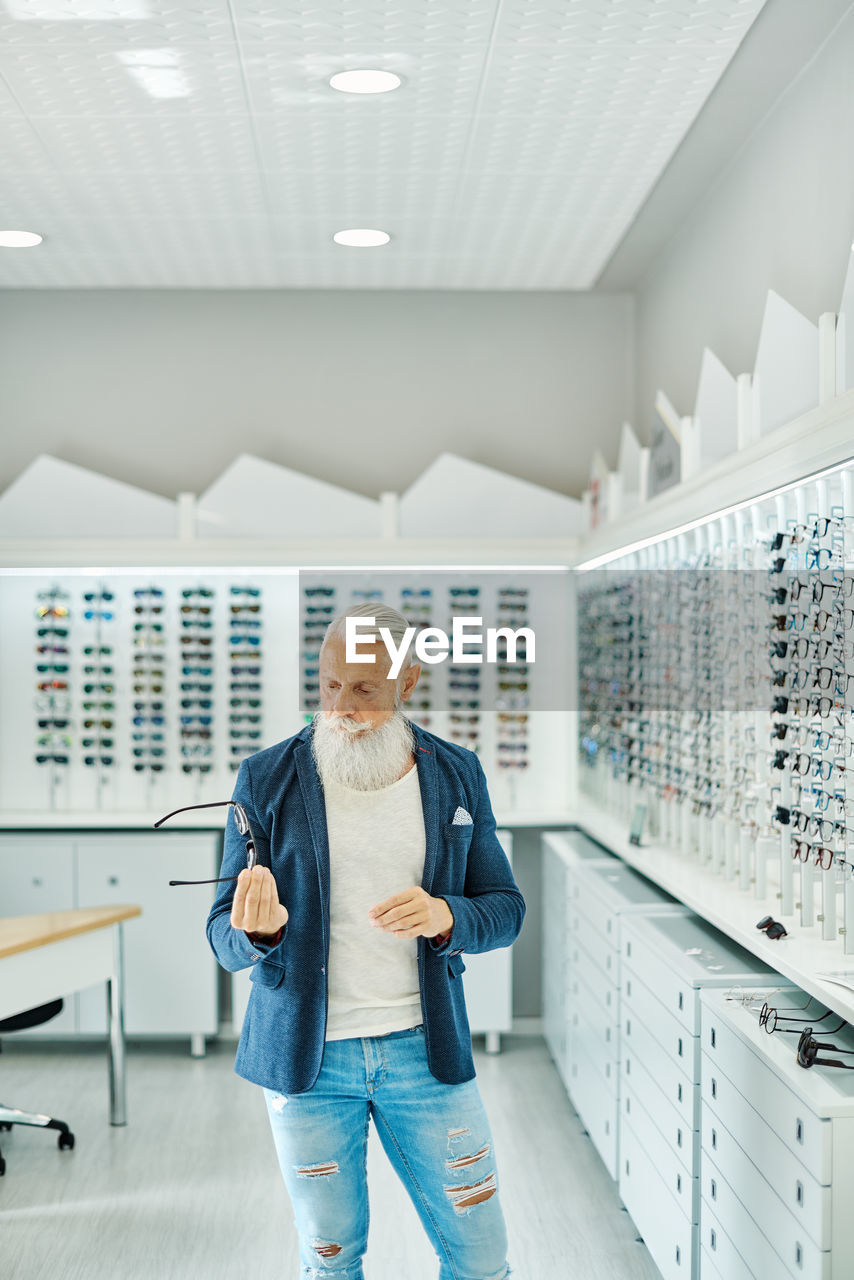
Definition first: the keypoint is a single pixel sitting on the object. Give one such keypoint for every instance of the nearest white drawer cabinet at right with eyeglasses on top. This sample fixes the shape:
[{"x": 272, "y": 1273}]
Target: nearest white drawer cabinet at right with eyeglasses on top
[{"x": 778, "y": 1145}]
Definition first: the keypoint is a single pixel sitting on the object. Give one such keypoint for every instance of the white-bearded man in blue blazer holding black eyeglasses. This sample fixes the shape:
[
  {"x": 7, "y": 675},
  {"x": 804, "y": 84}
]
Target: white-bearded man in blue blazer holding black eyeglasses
[{"x": 378, "y": 867}]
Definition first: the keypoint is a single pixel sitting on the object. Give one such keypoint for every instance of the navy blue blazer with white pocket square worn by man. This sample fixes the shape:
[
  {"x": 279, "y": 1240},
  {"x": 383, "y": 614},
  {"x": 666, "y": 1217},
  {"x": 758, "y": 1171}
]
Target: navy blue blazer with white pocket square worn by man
[{"x": 285, "y": 1027}]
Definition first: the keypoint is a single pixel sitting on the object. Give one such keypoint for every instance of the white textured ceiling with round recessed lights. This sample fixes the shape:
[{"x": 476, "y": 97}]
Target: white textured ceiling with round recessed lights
[{"x": 523, "y": 144}]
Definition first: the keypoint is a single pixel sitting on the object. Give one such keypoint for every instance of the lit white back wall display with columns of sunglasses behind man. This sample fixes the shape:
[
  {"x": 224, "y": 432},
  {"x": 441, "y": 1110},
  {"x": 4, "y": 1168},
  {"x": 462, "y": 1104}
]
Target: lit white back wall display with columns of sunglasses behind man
[{"x": 135, "y": 692}]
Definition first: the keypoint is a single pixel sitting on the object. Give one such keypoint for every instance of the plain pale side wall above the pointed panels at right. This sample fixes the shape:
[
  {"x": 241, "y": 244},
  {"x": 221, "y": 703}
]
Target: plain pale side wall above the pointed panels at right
[{"x": 780, "y": 217}]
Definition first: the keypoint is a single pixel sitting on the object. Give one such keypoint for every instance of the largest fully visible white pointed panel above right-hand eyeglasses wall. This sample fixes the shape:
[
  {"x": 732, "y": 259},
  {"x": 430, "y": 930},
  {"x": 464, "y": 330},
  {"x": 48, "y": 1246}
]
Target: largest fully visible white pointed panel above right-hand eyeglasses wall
[{"x": 787, "y": 364}]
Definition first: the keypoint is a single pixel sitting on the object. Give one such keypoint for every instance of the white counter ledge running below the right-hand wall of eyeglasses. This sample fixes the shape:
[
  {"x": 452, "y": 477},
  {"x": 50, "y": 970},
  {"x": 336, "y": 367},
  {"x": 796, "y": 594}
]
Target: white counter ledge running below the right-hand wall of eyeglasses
[{"x": 800, "y": 957}]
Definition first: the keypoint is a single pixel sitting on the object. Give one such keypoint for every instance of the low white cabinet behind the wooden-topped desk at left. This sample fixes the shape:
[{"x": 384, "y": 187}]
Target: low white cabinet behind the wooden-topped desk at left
[{"x": 170, "y": 970}]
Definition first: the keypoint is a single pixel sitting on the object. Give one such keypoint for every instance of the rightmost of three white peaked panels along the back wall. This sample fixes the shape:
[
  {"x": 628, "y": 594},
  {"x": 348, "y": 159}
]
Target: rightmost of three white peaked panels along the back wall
[{"x": 458, "y": 499}]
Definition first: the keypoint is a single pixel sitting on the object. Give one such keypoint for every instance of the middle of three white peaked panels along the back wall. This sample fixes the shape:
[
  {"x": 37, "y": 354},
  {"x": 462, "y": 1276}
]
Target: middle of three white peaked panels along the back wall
[{"x": 254, "y": 499}]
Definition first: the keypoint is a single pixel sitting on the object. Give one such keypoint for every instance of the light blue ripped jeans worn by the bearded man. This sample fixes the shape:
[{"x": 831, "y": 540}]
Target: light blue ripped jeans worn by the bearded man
[{"x": 436, "y": 1136}]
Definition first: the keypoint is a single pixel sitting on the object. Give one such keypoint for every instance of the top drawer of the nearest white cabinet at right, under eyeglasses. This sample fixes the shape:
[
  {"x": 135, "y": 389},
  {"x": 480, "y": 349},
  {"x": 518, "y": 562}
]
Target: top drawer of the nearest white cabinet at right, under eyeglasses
[{"x": 800, "y": 1128}]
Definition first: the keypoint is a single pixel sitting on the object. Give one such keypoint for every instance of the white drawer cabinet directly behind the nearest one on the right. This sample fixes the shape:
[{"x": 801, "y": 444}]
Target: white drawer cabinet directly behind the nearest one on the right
[{"x": 668, "y": 959}]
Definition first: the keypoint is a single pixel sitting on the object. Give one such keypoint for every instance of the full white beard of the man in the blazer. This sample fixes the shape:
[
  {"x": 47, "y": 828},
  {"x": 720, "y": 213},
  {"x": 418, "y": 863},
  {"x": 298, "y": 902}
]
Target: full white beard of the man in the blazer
[{"x": 366, "y": 760}]
